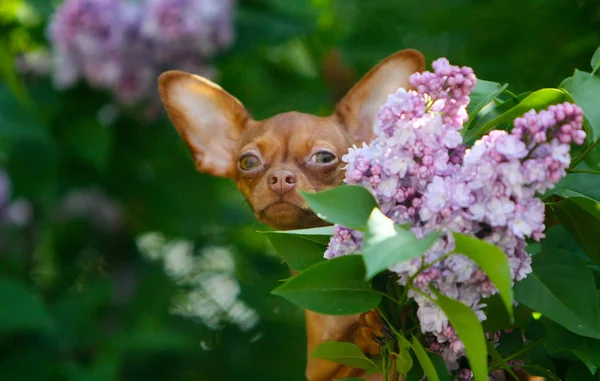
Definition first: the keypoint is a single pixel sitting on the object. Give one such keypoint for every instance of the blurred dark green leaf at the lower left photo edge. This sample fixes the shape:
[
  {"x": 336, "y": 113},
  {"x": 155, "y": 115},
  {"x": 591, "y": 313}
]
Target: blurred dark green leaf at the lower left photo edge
[{"x": 21, "y": 309}]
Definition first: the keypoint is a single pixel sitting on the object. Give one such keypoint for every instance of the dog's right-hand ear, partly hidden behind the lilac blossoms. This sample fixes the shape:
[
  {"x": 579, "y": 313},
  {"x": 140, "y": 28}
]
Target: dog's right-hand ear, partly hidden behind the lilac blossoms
[{"x": 358, "y": 109}]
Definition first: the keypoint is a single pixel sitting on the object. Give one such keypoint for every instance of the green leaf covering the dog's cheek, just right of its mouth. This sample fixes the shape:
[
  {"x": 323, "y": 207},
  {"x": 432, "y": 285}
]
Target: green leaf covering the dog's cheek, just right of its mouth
[{"x": 347, "y": 205}]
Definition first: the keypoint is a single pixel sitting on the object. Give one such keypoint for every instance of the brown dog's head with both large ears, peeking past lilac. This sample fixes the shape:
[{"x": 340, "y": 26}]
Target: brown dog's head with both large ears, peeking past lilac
[{"x": 272, "y": 158}]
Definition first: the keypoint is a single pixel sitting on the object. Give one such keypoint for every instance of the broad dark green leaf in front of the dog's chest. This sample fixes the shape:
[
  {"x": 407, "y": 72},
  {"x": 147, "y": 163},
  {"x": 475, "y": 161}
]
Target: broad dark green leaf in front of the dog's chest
[{"x": 332, "y": 287}]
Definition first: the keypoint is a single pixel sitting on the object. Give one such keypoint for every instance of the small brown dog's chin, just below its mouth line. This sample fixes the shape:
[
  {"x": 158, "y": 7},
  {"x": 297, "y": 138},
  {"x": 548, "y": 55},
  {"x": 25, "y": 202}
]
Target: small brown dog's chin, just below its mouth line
[{"x": 286, "y": 216}]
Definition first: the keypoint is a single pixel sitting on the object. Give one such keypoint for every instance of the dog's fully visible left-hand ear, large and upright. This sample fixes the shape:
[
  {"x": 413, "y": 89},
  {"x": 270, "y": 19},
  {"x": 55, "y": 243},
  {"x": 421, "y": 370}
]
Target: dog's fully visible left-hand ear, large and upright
[{"x": 208, "y": 119}]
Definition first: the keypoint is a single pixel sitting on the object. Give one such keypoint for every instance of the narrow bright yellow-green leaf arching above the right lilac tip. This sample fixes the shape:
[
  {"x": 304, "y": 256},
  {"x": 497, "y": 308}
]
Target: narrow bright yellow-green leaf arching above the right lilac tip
[{"x": 537, "y": 100}]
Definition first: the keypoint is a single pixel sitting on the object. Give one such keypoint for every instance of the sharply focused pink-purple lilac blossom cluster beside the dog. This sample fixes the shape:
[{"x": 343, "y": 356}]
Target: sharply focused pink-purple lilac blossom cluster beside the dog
[{"x": 421, "y": 173}]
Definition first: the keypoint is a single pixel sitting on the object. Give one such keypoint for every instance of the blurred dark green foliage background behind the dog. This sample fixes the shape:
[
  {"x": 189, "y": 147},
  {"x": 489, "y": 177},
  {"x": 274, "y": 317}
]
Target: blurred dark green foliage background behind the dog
[{"x": 118, "y": 261}]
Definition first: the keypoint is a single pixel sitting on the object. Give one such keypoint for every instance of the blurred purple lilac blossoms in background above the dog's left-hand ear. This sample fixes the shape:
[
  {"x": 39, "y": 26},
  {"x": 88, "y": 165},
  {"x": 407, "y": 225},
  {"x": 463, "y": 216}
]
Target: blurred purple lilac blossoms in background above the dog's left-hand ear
[{"x": 122, "y": 45}]
